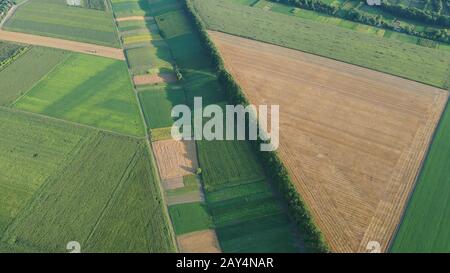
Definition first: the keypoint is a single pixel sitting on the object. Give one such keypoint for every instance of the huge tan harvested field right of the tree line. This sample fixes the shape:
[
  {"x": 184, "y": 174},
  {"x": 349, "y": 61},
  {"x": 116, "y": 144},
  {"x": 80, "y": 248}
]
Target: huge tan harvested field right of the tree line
[{"x": 352, "y": 139}]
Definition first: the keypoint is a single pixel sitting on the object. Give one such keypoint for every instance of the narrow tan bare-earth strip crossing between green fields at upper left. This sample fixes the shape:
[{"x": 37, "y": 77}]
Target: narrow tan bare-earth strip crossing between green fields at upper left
[{"x": 109, "y": 52}]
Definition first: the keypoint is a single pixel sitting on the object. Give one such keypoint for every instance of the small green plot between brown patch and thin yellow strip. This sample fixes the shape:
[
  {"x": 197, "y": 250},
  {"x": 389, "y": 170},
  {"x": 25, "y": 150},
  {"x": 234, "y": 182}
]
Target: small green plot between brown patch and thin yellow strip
[{"x": 157, "y": 102}]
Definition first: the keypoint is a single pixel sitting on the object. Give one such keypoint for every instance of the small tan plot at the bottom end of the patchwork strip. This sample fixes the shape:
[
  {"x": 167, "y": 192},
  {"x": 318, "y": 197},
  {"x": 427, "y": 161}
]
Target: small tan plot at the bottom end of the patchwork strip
[{"x": 199, "y": 242}]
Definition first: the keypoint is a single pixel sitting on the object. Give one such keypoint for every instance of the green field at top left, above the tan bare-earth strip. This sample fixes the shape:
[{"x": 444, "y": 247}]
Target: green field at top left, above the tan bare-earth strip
[{"x": 56, "y": 19}]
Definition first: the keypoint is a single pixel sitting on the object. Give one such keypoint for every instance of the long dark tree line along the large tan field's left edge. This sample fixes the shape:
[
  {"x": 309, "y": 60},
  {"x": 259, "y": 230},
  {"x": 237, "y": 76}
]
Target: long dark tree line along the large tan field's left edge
[{"x": 276, "y": 171}]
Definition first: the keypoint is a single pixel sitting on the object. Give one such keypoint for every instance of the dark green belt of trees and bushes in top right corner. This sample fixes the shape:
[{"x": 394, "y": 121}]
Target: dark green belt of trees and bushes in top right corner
[{"x": 354, "y": 14}]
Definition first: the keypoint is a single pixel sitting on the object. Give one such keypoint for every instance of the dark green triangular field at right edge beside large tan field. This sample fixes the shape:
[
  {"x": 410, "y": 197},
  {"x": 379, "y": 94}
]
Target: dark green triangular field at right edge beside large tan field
[{"x": 425, "y": 226}]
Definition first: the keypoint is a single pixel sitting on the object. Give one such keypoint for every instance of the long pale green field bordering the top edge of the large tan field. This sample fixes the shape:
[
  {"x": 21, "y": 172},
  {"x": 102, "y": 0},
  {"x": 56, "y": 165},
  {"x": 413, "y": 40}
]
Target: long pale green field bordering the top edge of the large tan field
[{"x": 414, "y": 62}]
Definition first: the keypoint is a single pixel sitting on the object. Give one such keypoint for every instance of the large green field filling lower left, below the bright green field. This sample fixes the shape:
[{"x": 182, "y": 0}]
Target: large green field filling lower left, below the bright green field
[{"x": 62, "y": 182}]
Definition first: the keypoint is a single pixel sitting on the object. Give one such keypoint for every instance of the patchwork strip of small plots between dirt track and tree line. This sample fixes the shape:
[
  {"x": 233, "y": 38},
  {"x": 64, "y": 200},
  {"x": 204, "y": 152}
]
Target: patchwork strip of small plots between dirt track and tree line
[{"x": 238, "y": 211}]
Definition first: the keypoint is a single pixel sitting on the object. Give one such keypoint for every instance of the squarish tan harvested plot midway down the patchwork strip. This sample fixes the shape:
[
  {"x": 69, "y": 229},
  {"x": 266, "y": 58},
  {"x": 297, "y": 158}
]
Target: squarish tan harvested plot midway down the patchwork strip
[{"x": 175, "y": 158}]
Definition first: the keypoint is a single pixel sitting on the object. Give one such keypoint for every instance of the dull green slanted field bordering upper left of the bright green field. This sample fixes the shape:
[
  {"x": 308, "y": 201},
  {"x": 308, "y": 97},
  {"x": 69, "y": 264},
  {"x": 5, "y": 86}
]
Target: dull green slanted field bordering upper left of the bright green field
[{"x": 23, "y": 73}]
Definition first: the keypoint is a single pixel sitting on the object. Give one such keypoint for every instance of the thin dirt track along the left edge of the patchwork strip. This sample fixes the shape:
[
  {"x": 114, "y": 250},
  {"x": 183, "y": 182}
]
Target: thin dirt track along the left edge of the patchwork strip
[{"x": 147, "y": 137}]
